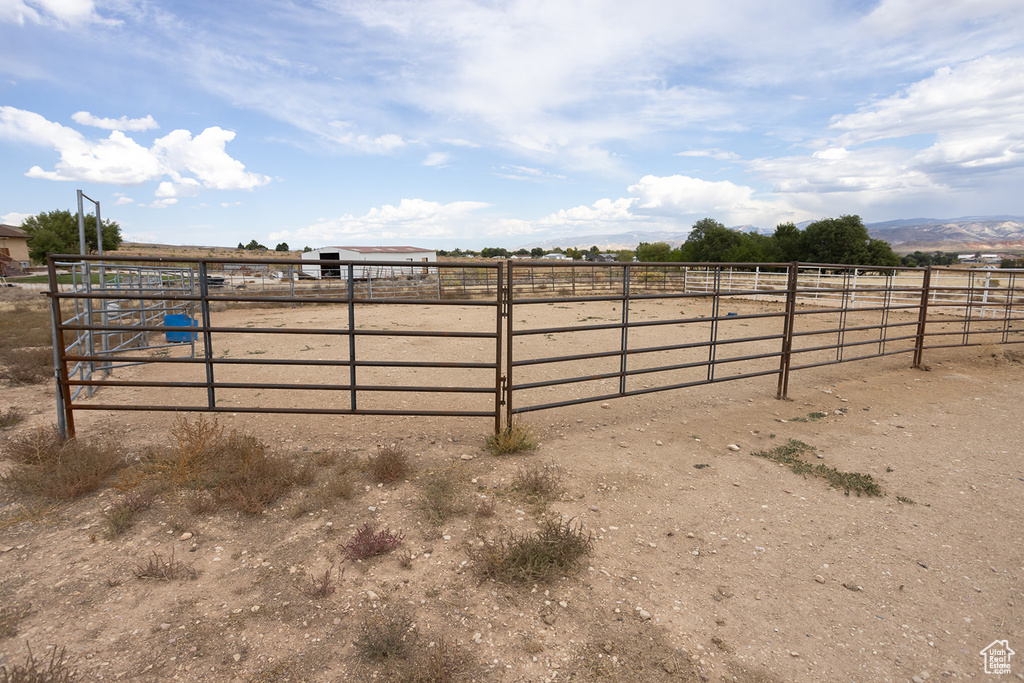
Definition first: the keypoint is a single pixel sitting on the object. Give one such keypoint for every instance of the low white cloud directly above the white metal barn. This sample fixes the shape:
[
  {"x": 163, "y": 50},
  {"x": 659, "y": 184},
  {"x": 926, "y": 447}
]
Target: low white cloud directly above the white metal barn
[{"x": 412, "y": 221}]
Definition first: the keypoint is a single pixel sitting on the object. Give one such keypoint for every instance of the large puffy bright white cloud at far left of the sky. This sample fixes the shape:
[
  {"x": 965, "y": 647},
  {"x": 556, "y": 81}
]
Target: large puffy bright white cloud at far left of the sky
[{"x": 120, "y": 160}]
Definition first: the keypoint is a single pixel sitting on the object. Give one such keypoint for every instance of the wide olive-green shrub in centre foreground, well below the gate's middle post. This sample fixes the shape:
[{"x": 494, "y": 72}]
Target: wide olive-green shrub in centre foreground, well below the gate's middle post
[{"x": 553, "y": 550}]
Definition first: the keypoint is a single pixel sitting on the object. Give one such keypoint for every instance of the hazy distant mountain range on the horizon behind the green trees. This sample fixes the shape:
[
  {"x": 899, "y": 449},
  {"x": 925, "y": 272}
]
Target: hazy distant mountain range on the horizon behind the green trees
[{"x": 906, "y": 235}]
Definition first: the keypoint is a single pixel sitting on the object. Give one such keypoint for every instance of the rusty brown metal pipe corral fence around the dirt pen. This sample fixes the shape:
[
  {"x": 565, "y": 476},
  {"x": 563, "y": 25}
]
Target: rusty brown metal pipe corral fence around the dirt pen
[{"x": 625, "y": 329}]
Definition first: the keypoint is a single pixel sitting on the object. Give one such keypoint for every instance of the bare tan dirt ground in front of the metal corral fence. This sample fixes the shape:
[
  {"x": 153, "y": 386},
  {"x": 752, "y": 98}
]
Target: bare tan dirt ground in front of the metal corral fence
[{"x": 709, "y": 563}]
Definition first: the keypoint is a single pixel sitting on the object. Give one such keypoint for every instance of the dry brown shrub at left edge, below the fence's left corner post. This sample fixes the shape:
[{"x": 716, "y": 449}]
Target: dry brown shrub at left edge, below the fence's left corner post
[{"x": 54, "y": 467}]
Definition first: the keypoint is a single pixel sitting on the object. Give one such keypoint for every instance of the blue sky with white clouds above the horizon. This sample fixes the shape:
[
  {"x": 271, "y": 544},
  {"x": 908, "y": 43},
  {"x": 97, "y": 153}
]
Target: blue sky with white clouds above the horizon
[{"x": 446, "y": 123}]
